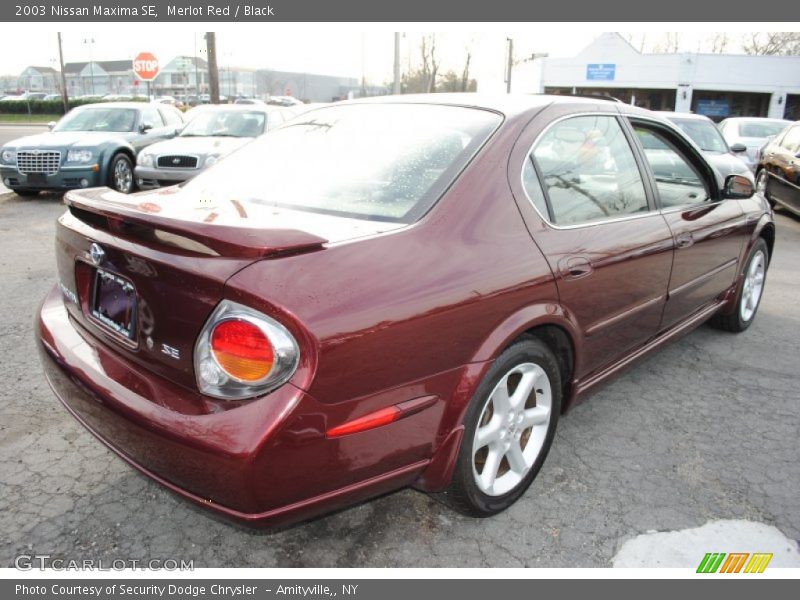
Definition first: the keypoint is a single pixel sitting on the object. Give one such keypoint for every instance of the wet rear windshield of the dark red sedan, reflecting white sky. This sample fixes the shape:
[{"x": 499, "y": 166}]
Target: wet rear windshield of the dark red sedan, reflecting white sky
[{"x": 386, "y": 162}]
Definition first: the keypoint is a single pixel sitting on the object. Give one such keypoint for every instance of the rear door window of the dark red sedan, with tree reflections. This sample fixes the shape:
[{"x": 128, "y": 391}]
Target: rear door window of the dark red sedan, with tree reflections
[{"x": 588, "y": 172}]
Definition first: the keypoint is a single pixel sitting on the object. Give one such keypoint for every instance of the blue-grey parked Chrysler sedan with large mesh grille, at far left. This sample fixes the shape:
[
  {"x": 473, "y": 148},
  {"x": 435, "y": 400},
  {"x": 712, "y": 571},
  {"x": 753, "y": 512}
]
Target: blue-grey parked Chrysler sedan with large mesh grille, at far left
[{"x": 92, "y": 145}]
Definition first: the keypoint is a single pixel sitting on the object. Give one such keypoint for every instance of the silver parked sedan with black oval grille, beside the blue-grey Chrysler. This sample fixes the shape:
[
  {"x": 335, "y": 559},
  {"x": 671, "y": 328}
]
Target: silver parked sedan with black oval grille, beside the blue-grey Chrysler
[{"x": 213, "y": 132}]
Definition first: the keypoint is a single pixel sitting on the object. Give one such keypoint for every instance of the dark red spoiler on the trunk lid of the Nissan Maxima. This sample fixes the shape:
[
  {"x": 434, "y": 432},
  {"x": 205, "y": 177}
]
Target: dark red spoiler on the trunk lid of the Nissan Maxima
[{"x": 126, "y": 219}]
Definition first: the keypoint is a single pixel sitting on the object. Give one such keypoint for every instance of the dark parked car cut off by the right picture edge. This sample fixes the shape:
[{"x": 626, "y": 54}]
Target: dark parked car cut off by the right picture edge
[{"x": 778, "y": 173}]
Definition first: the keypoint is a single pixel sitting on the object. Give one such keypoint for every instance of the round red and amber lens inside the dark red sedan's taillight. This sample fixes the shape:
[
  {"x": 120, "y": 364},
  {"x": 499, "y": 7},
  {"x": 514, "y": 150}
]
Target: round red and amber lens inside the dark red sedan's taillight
[{"x": 242, "y": 350}]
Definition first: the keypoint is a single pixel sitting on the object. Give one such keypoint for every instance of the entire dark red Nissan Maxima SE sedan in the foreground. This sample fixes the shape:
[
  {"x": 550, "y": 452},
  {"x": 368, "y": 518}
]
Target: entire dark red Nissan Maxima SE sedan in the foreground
[{"x": 387, "y": 293}]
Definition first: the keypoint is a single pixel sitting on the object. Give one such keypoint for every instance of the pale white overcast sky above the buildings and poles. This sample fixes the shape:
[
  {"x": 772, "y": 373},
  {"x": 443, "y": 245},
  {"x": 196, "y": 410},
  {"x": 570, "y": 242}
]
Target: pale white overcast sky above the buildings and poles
[{"x": 328, "y": 49}]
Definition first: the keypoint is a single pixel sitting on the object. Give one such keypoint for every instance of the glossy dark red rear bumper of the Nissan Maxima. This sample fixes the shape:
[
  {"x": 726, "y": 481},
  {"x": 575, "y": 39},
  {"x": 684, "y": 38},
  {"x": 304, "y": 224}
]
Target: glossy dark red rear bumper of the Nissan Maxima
[{"x": 263, "y": 464}]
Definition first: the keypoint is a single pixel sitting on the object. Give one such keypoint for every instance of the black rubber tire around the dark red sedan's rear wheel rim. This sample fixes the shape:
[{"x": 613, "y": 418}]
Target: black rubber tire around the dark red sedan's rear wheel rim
[{"x": 464, "y": 494}]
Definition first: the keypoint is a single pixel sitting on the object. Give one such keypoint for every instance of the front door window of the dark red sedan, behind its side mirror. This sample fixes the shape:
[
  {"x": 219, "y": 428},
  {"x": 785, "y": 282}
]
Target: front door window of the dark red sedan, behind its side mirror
[{"x": 677, "y": 181}]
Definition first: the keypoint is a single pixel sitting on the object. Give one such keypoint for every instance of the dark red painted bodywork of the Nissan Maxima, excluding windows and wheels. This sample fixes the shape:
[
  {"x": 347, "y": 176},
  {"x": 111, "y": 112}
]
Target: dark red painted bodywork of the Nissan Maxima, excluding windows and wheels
[{"x": 412, "y": 318}]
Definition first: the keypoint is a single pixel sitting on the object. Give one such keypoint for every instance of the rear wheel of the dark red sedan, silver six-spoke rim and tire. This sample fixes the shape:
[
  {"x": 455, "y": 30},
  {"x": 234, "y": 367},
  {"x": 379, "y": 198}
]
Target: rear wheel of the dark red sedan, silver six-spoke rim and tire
[{"x": 509, "y": 427}]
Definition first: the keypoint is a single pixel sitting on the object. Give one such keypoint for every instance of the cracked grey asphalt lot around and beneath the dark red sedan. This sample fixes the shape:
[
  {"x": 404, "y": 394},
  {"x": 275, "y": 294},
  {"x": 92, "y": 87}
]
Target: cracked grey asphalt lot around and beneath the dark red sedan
[{"x": 704, "y": 430}]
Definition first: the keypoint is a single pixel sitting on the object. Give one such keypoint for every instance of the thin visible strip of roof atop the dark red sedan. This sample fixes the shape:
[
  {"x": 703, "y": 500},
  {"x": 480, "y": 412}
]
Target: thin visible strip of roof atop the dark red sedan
[{"x": 508, "y": 104}]
